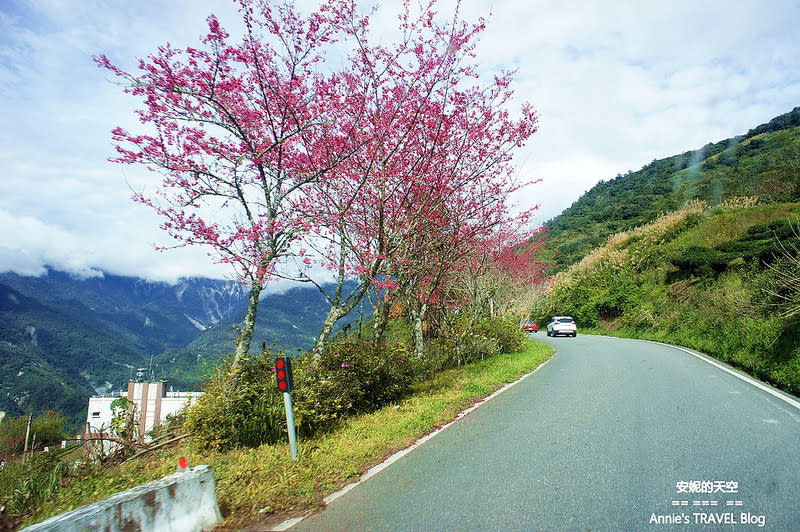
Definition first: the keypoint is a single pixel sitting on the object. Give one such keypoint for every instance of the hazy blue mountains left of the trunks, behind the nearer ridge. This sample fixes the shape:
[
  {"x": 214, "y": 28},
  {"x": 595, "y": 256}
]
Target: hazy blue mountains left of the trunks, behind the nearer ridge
[{"x": 64, "y": 338}]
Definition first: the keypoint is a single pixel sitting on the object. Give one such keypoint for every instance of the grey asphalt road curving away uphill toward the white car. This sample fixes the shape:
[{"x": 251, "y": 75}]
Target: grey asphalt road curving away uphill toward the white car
[{"x": 610, "y": 435}]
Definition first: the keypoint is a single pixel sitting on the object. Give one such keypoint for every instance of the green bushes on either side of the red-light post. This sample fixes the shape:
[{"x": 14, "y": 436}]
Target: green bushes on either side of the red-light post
[{"x": 246, "y": 409}]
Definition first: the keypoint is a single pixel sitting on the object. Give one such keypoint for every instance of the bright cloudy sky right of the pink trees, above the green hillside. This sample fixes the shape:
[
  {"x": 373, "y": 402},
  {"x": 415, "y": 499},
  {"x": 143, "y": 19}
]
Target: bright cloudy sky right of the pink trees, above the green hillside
[{"x": 618, "y": 88}]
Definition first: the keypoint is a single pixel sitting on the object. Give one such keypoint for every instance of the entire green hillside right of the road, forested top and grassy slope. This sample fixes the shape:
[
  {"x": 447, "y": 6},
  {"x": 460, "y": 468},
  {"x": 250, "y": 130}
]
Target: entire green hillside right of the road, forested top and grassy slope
[{"x": 699, "y": 249}]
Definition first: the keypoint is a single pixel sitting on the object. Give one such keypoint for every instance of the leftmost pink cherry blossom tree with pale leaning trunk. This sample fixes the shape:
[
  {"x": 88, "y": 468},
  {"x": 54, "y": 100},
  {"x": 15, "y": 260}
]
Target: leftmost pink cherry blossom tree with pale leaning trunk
[{"x": 238, "y": 130}]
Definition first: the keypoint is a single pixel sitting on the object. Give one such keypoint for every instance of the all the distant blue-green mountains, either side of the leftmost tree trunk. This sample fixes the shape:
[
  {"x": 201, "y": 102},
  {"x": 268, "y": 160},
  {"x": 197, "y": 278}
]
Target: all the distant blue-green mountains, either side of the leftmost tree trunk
[{"x": 63, "y": 338}]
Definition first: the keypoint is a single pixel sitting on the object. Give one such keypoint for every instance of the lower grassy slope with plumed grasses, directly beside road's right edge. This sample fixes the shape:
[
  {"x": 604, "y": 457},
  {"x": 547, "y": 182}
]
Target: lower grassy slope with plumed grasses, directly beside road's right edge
[{"x": 722, "y": 280}]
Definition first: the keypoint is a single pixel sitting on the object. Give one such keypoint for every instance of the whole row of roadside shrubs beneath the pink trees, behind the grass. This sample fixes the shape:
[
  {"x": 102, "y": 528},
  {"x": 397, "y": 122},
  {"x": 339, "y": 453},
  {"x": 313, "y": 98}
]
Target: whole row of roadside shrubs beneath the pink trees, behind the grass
[{"x": 350, "y": 376}]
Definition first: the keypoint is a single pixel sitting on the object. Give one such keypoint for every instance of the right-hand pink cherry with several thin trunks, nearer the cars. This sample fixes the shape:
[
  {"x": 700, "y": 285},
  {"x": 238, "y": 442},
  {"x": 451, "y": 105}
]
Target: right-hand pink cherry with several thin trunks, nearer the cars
[{"x": 434, "y": 176}]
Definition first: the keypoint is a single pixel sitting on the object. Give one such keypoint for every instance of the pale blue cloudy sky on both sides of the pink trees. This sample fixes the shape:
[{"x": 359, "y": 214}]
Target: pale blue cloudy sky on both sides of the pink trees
[{"x": 616, "y": 84}]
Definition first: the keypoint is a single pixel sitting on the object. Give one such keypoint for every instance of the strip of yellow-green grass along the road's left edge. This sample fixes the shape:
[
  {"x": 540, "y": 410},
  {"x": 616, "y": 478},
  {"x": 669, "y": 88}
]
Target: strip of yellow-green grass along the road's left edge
[{"x": 264, "y": 485}]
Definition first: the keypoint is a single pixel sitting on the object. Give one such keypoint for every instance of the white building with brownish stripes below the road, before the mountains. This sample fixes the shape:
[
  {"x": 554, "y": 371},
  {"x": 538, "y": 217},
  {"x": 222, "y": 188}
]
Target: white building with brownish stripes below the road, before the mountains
[{"x": 152, "y": 401}]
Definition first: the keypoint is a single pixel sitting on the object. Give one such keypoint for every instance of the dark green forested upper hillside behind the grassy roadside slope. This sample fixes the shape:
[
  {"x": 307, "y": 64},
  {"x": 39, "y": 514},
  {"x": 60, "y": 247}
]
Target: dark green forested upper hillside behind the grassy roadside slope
[{"x": 764, "y": 162}]
